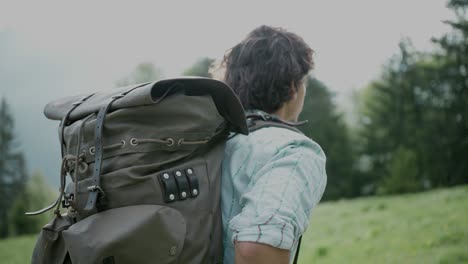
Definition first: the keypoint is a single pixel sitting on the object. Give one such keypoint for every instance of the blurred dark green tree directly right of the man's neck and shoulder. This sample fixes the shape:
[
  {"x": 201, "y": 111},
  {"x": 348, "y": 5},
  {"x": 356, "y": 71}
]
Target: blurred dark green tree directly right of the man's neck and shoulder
[{"x": 327, "y": 127}]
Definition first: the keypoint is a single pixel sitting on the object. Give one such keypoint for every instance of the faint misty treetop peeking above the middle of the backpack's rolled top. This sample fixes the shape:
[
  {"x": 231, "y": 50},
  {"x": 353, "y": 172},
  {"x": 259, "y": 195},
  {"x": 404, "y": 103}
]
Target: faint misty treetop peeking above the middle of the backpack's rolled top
[{"x": 144, "y": 72}]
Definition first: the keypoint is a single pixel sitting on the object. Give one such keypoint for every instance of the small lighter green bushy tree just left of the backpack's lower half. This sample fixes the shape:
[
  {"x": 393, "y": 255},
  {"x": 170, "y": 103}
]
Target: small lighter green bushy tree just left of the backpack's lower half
[{"x": 37, "y": 194}]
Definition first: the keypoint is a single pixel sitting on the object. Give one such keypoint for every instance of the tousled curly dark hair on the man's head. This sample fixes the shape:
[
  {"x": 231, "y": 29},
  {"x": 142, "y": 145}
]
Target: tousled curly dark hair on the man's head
[{"x": 262, "y": 67}]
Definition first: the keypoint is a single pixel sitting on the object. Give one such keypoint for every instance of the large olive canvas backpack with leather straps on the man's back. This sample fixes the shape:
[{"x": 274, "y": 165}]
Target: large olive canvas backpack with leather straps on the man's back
[{"x": 145, "y": 166}]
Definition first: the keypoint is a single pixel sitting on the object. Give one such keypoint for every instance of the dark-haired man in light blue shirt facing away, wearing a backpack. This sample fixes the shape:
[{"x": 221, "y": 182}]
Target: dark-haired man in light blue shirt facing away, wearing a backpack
[{"x": 273, "y": 177}]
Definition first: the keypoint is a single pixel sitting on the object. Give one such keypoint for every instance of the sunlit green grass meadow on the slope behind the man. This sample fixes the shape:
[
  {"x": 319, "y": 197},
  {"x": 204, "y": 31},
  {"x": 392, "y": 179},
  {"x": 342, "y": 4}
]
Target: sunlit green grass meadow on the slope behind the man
[{"x": 430, "y": 227}]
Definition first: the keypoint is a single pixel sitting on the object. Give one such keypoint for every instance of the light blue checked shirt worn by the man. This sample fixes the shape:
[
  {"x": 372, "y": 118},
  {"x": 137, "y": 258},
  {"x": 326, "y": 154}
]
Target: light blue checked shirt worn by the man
[{"x": 271, "y": 180}]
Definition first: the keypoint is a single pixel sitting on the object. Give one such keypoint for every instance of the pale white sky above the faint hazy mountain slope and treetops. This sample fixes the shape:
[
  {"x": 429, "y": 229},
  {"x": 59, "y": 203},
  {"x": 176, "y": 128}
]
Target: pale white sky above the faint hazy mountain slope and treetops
[{"x": 106, "y": 39}]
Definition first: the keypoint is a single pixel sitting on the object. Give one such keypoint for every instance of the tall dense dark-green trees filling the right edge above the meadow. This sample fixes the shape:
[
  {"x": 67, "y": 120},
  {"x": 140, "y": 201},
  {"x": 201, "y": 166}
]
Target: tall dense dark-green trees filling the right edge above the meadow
[{"x": 414, "y": 117}]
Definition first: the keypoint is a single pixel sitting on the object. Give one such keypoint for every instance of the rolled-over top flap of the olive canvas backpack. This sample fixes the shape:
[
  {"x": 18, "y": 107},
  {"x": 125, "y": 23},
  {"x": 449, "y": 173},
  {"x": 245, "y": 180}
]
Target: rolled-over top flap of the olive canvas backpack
[{"x": 226, "y": 101}]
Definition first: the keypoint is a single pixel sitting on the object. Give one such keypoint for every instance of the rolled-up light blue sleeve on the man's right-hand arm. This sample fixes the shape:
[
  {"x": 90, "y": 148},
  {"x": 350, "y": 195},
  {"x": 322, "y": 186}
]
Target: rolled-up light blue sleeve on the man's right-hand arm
[{"x": 275, "y": 209}]
